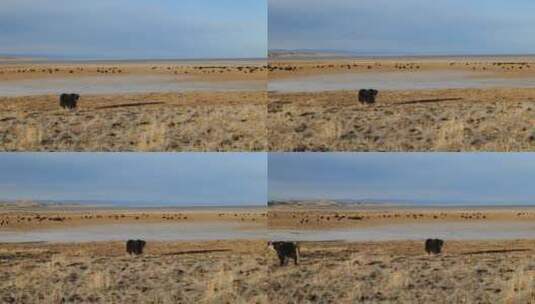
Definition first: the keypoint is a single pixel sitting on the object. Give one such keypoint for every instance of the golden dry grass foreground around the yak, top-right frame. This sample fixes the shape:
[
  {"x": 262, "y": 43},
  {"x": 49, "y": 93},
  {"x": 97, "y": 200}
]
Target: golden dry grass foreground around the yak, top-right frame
[{"x": 426, "y": 120}]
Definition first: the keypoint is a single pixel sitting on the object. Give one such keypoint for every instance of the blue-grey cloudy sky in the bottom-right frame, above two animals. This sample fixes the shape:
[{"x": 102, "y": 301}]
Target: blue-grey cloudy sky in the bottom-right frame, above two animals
[{"x": 449, "y": 178}]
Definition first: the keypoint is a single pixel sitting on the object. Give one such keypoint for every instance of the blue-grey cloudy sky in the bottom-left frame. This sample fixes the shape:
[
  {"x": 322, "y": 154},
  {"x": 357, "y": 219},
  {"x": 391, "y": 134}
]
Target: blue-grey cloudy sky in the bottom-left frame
[{"x": 141, "y": 178}]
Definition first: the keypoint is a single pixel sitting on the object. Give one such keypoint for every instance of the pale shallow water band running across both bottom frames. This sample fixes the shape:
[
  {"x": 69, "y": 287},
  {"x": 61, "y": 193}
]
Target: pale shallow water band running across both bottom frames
[{"x": 225, "y": 230}]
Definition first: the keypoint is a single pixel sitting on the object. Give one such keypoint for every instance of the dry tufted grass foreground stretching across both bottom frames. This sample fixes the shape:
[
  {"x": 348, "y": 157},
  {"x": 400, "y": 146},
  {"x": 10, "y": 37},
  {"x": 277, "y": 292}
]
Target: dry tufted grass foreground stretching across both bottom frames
[{"x": 248, "y": 272}]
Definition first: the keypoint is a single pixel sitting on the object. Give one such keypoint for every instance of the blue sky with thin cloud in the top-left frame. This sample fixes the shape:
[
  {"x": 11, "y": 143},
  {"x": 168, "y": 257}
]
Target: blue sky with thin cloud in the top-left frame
[{"x": 133, "y": 29}]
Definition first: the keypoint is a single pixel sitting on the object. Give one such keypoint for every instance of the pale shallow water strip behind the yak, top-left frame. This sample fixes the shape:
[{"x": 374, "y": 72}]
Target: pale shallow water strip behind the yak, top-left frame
[{"x": 121, "y": 84}]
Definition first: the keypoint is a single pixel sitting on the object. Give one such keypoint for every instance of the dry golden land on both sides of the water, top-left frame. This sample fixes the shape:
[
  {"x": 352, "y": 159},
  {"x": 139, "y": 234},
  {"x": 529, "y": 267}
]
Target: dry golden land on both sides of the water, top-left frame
[{"x": 193, "y": 121}]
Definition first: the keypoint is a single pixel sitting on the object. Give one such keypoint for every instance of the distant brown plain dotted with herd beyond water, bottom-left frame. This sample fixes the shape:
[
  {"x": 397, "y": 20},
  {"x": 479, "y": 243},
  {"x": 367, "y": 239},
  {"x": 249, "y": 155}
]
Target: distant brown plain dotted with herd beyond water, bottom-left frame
[{"x": 21, "y": 217}]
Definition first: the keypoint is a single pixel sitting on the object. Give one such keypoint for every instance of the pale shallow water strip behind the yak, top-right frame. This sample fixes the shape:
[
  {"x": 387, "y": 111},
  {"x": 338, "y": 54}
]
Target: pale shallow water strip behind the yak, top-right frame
[{"x": 396, "y": 81}]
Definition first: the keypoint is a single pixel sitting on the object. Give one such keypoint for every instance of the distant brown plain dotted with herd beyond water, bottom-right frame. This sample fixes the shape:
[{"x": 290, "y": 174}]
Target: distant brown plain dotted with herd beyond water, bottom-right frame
[{"x": 328, "y": 214}]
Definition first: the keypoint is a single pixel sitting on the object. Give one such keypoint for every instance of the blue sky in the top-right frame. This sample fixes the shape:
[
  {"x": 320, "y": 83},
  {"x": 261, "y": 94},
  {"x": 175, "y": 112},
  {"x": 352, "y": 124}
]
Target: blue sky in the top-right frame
[{"x": 404, "y": 27}]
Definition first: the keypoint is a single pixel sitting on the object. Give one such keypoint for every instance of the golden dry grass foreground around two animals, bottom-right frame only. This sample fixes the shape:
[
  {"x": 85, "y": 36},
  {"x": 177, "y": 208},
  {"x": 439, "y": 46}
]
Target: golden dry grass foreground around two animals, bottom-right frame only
[{"x": 399, "y": 272}]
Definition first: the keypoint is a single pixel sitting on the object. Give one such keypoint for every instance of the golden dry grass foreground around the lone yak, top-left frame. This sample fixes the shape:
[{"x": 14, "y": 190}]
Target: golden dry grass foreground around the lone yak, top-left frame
[{"x": 217, "y": 121}]
